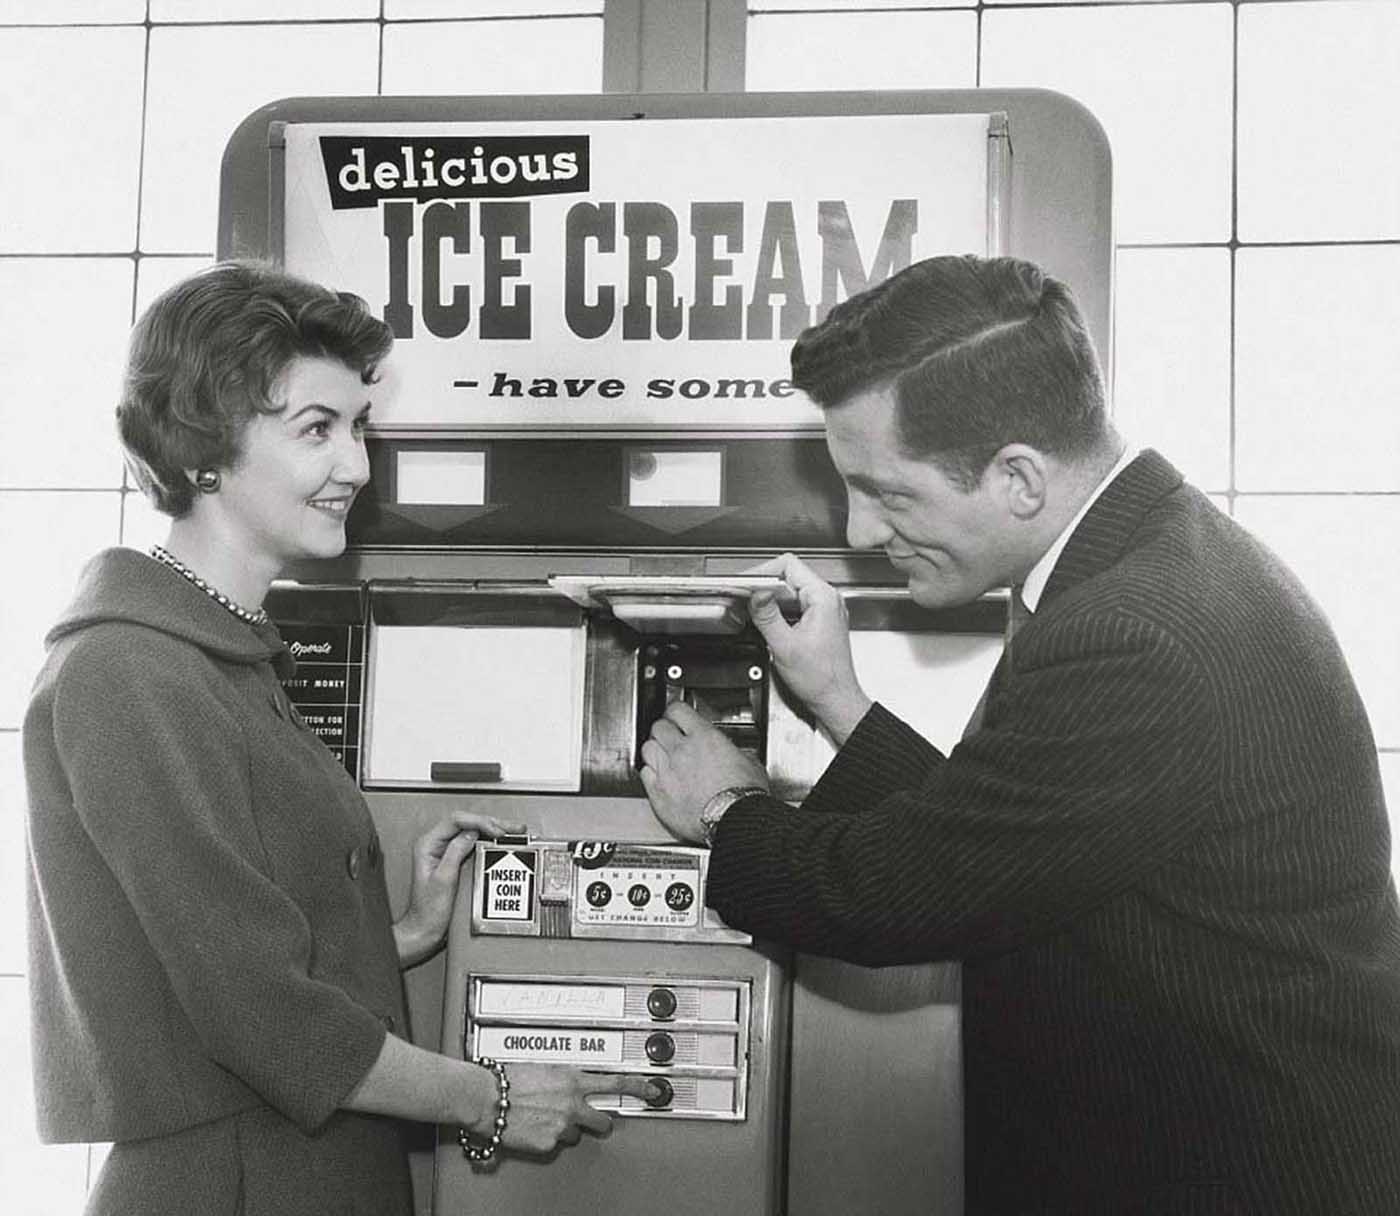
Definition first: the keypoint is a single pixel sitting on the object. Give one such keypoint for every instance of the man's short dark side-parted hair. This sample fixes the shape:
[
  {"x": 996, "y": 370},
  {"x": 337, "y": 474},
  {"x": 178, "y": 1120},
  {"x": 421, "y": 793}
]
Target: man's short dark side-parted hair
[{"x": 979, "y": 353}]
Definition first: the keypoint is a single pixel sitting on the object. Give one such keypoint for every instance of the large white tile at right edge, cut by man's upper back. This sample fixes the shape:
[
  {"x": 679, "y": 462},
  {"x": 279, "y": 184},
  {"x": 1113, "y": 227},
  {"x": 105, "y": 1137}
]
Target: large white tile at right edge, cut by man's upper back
[{"x": 1345, "y": 552}]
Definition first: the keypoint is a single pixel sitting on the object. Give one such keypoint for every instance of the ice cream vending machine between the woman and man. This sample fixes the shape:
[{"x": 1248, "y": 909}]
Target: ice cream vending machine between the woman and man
[{"x": 582, "y": 447}]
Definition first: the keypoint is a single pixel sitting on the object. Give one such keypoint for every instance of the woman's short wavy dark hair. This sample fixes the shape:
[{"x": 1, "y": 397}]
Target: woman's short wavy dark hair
[{"x": 206, "y": 358}]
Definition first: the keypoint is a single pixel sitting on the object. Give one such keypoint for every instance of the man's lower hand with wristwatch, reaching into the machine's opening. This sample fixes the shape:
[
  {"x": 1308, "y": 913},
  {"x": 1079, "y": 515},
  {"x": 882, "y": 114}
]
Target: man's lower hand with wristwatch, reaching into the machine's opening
[{"x": 687, "y": 762}]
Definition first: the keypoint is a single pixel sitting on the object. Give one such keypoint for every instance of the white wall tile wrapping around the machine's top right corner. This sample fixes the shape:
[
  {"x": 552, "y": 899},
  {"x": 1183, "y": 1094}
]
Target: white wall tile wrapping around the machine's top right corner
[{"x": 1158, "y": 79}]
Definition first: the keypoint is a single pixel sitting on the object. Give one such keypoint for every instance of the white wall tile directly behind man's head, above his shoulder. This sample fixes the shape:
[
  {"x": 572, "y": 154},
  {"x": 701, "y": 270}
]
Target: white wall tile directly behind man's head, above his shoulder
[{"x": 1171, "y": 379}]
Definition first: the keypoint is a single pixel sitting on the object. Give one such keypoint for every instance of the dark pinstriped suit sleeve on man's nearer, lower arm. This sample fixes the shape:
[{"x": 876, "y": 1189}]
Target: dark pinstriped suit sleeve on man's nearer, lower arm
[{"x": 1090, "y": 776}]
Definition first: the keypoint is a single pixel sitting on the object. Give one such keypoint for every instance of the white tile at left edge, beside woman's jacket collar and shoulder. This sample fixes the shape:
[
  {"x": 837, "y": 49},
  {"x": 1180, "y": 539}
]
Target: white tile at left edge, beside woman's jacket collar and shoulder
[{"x": 45, "y": 539}]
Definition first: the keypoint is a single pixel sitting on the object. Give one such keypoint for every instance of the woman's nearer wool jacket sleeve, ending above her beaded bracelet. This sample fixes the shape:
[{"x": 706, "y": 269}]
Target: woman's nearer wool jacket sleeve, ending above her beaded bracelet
[{"x": 160, "y": 782}]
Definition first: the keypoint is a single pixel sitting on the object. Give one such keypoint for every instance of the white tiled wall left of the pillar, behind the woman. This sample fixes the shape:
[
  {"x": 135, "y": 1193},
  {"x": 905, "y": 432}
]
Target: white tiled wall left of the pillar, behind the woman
[{"x": 114, "y": 125}]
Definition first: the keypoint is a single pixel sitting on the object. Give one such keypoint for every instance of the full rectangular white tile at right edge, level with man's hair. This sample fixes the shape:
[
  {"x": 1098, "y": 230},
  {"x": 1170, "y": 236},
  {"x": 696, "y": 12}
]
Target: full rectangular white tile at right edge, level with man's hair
[{"x": 1318, "y": 362}]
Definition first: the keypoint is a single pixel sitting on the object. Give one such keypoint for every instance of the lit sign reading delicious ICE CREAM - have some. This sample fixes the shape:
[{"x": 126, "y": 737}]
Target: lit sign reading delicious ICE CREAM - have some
[{"x": 649, "y": 274}]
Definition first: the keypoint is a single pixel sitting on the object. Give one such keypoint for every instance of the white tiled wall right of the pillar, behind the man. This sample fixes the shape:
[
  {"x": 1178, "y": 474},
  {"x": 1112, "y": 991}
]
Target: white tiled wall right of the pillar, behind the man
[{"x": 1258, "y": 226}]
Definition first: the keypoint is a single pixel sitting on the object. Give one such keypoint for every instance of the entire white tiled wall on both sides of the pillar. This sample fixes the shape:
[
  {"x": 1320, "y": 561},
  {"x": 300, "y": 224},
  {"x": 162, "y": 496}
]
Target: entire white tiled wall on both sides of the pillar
[{"x": 1258, "y": 204}]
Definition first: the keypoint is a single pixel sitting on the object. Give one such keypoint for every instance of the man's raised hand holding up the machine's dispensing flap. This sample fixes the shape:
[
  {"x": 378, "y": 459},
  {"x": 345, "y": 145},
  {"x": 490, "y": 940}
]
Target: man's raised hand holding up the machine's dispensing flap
[{"x": 813, "y": 657}]
